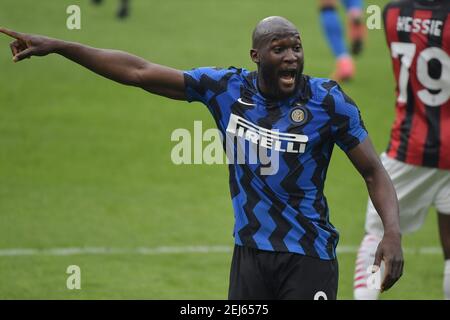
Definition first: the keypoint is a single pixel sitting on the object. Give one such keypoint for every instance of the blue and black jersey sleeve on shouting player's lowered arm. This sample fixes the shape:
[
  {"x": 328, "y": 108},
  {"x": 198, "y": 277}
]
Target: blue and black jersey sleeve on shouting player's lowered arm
[{"x": 348, "y": 126}]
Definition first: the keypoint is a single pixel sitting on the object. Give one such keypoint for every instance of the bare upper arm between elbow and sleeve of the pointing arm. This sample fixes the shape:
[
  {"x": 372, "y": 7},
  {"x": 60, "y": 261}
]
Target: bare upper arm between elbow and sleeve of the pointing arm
[{"x": 162, "y": 80}]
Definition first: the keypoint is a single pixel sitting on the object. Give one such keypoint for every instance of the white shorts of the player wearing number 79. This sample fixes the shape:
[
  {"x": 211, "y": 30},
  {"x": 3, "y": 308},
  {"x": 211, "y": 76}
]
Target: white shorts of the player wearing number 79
[{"x": 418, "y": 189}]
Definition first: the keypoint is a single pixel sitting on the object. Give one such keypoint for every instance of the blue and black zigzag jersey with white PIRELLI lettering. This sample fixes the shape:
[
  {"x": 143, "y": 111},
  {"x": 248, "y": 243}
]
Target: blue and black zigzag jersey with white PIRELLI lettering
[{"x": 277, "y": 194}]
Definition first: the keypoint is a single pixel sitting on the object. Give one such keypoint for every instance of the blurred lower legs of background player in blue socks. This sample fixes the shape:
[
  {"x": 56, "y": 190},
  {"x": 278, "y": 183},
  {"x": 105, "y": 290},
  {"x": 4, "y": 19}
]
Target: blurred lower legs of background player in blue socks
[{"x": 331, "y": 25}]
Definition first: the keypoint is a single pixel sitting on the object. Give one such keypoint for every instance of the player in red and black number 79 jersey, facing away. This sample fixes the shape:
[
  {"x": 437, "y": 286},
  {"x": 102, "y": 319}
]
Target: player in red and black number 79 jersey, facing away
[{"x": 418, "y": 156}]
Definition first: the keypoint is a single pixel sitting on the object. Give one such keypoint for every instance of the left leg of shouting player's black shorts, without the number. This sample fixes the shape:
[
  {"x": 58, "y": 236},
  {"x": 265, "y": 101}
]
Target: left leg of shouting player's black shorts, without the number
[{"x": 247, "y": 279}]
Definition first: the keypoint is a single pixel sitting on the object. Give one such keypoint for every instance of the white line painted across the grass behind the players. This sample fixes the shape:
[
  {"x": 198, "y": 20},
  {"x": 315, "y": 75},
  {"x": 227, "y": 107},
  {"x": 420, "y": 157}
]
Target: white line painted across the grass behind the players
[{"x": 168, "y": 250}]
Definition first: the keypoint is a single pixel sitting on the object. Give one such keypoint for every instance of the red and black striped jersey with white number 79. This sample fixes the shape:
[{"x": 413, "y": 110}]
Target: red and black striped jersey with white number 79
[{"x": 418, "y": 35}]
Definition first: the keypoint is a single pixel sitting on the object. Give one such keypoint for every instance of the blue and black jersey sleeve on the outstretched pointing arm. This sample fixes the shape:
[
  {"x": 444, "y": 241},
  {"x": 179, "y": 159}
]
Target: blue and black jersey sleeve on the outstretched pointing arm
[{"x": 202, "y": 83}]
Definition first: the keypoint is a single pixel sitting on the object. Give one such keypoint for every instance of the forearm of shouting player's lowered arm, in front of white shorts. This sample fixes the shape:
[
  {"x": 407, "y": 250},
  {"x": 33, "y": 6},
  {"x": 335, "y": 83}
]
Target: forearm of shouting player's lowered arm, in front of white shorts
[{"x": 384, "y": 199}]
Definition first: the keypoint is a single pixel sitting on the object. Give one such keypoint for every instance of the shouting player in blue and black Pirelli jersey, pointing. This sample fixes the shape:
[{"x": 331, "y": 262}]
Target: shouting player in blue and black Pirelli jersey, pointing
[{"x": 284, "y": 242}]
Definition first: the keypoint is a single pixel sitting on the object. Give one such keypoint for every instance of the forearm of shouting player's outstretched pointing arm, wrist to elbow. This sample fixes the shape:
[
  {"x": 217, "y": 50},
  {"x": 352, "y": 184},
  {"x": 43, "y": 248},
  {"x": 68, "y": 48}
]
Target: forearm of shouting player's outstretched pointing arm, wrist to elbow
[{"x": 112, "y": 64}]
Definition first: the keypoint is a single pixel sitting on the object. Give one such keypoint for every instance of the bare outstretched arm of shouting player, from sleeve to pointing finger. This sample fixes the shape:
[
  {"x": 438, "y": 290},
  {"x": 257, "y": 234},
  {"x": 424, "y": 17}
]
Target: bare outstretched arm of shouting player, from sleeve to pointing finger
[{"x": 116, "y": 65}]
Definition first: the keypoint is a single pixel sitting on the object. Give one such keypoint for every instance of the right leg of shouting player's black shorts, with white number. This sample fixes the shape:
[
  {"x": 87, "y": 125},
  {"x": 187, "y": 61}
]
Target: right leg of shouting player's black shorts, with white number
[{"x": 306, "y": 278}]
